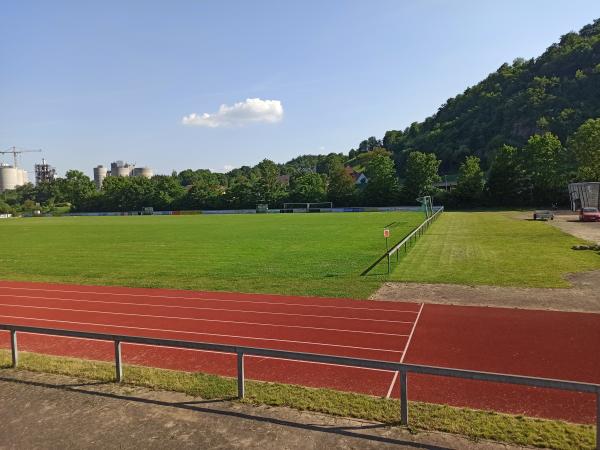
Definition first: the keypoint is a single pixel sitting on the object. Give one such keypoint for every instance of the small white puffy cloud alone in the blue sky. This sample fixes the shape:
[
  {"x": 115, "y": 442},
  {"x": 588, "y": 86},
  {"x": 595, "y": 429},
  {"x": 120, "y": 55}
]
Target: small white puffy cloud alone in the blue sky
[{"x": 252, "y": 110}]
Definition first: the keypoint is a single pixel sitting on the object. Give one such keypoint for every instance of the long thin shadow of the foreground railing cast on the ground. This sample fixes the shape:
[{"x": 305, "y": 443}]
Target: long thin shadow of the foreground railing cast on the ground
[{"x": 347, "y": 431}]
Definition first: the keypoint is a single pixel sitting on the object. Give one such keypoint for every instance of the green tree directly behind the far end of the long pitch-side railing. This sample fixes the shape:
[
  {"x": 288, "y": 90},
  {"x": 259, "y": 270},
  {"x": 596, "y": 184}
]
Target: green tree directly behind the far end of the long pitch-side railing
[{"x": 421, "y": 175}]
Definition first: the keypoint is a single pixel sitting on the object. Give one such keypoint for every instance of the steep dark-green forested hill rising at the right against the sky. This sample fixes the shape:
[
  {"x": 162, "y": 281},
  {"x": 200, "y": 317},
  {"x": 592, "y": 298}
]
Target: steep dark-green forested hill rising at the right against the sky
[{"x": 555, "y": 92}]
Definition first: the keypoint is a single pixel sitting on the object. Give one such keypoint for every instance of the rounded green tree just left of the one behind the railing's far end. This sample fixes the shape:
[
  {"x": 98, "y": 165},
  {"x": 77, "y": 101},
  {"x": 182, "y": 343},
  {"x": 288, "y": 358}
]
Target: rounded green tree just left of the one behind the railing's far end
[{"x": 383, "y": 188}]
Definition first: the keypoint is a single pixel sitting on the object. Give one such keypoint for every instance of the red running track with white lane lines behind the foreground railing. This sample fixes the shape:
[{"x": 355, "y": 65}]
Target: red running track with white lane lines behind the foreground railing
[{"x": 537, "y": 343}]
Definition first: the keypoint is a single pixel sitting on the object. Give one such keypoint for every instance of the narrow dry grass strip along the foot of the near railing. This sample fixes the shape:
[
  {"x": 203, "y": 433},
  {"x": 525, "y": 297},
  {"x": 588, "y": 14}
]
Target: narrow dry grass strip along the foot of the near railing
[{"x": 422, "y": 416}]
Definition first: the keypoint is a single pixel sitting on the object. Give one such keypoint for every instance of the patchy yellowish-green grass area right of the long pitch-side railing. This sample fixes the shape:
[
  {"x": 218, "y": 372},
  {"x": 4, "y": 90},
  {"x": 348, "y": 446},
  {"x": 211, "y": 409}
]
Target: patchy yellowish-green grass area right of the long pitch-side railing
[{"x": 494, "y": 248}]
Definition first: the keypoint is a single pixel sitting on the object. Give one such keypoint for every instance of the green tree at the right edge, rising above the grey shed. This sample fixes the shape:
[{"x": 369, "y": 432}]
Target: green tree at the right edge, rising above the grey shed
[{"x": 585, "y": 146}]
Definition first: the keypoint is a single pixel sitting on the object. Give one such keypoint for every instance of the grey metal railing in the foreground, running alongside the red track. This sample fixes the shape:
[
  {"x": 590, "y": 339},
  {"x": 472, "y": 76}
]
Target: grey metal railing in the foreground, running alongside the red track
[{"x": 402, "y": 368}]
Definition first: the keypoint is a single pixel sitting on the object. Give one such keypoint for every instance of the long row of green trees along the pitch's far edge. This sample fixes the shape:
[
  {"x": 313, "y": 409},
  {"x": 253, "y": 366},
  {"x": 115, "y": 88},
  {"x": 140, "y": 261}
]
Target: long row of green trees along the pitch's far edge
[{"x": 534, "y": 174}]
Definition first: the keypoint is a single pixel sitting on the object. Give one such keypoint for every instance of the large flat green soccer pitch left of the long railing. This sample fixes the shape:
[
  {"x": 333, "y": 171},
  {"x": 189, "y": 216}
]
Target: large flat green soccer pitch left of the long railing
[{"x": 300, "y": 254}]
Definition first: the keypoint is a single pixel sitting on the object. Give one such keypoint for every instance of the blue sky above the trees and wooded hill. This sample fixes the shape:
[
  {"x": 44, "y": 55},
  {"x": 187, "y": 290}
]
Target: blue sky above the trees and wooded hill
[{"x": 92, "y": 82}]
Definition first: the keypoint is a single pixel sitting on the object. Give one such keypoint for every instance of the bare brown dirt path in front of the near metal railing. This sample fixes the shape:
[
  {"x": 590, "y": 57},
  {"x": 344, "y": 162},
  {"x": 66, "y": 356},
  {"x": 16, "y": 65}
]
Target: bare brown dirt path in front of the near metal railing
[{"x": 51, "y": 411}]
